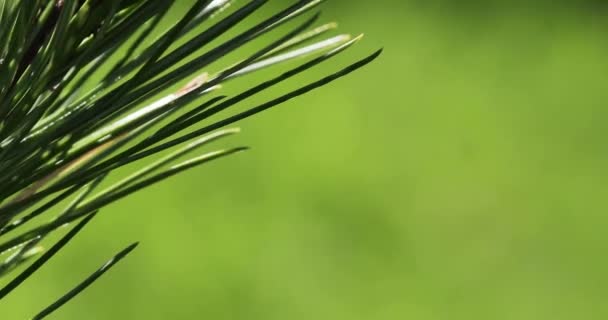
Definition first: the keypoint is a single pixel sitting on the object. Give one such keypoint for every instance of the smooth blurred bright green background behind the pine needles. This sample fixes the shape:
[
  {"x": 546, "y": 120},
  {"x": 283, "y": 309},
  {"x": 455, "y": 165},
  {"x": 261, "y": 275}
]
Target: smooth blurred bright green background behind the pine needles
[{"x": 461, "y": 176}]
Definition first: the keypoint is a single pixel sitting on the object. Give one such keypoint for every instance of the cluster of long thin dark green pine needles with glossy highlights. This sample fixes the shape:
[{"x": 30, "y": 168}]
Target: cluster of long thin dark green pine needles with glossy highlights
[{"x": 80, "y": 96}]
